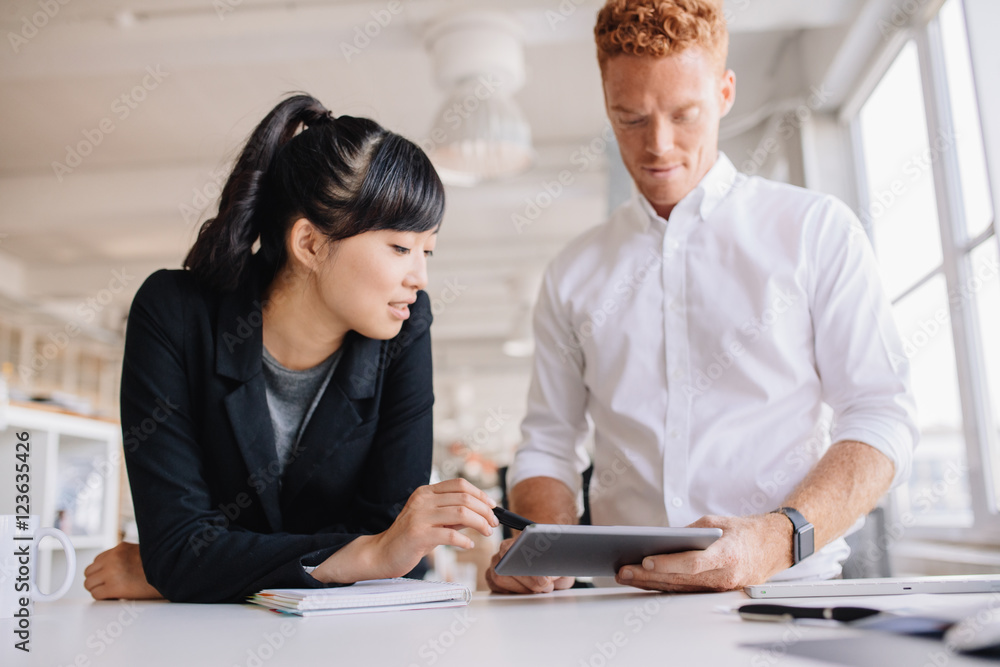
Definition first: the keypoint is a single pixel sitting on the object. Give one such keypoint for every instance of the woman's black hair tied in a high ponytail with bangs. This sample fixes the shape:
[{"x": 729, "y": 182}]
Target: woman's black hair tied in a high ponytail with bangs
[{"x": 345, "y": 175}]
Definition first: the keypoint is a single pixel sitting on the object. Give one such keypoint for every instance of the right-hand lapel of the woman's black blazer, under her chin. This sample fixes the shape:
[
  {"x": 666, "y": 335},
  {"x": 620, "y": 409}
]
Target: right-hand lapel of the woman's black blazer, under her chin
[{"x": 336, "y": 414}]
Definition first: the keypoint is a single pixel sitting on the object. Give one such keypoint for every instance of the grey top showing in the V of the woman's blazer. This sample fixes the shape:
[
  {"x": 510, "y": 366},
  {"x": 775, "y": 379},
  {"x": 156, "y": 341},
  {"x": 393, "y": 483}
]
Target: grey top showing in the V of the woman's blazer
[{"x": 292, "y": 397}]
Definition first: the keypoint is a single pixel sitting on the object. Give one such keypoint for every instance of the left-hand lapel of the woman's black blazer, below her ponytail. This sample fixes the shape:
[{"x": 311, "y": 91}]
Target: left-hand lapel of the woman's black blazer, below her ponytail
[{"x": 239, "y": 348}]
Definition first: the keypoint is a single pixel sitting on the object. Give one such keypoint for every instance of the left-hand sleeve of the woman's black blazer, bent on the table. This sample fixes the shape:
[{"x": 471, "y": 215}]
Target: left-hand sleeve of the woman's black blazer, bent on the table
[{"x": 190, "y": 552}]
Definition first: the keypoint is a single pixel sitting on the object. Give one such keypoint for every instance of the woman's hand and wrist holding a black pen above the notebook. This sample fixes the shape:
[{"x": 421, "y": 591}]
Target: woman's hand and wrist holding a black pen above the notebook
[{"x": 433, "y": 515}]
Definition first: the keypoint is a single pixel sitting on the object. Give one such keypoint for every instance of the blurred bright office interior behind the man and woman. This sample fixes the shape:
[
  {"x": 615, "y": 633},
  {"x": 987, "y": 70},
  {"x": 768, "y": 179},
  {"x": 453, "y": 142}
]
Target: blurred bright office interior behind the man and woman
[{"x": 121, "y": 119}]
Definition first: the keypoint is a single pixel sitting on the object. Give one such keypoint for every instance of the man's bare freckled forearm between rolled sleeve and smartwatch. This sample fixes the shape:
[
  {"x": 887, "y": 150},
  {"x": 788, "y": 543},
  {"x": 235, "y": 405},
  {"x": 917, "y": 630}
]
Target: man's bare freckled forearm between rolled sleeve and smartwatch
[{"x": 846, "y": 483}]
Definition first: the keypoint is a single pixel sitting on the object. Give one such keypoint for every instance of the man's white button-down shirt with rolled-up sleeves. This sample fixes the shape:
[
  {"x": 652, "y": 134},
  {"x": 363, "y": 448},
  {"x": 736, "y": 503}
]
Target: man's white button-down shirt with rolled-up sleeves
[{"x": 709, "y": 350}]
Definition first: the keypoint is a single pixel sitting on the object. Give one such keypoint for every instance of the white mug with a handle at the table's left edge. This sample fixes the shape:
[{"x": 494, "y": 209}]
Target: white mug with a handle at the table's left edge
[{"x": 19, "y": 538}]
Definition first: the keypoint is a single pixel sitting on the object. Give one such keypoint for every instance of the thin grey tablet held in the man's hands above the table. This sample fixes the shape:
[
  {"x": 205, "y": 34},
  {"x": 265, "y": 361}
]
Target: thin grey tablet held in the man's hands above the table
[{"x": 595, "y": 551}]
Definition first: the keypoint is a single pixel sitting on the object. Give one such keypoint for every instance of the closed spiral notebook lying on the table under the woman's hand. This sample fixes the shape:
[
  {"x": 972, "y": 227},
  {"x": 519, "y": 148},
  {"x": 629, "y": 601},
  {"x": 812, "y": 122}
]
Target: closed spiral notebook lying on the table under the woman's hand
[{"x": 364, "y": 596}]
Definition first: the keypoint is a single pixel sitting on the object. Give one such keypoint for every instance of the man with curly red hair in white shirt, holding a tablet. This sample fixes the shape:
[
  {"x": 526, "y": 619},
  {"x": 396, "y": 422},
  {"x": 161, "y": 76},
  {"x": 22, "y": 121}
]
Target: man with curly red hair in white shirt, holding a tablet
[{"x": 708, "y": 330}]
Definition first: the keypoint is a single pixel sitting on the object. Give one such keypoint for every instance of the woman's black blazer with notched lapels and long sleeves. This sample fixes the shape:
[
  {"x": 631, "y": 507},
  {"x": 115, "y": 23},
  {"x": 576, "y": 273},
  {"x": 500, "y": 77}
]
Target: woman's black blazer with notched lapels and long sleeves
[{"x": 215, "y": 522}]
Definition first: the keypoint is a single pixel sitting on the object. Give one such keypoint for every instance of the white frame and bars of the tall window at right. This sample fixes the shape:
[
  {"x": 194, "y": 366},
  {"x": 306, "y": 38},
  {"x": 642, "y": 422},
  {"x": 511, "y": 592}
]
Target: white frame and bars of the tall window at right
[{"x": 979, "y": 427}]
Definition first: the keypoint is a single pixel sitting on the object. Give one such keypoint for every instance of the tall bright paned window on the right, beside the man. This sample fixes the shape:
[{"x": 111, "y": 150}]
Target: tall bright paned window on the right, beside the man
[{"x": 930, "y": 217}]
